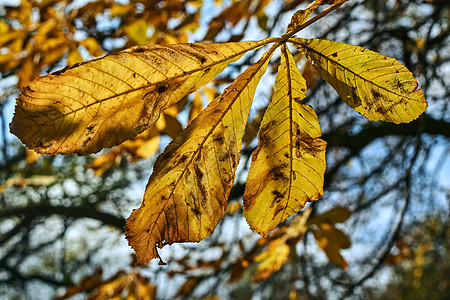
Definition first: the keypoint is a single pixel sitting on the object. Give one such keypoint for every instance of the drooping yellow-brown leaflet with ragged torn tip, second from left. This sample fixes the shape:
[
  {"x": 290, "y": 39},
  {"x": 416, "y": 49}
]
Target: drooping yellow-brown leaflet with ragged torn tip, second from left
[{"x": 188, "y": 191}]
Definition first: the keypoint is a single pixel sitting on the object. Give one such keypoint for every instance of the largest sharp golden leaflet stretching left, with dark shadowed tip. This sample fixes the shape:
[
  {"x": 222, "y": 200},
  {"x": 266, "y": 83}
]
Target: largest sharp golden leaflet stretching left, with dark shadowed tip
[{"x": 101, "y": 103}]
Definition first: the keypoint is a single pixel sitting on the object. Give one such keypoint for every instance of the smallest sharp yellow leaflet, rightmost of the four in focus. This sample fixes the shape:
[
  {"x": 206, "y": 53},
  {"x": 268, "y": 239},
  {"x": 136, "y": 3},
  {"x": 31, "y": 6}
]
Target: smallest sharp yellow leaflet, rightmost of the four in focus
[{"x": 376, "y": 86}]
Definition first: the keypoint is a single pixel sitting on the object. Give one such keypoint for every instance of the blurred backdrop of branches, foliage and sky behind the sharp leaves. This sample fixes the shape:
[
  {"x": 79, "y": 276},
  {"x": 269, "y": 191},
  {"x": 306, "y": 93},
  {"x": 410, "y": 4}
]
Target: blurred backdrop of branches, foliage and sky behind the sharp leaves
[{"x": 380, "y": 230}]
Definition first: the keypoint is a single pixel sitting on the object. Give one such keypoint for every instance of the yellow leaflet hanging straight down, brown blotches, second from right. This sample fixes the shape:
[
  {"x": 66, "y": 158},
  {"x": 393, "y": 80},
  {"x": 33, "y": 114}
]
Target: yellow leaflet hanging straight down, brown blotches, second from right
[{"x": 288, "y": 166}]
